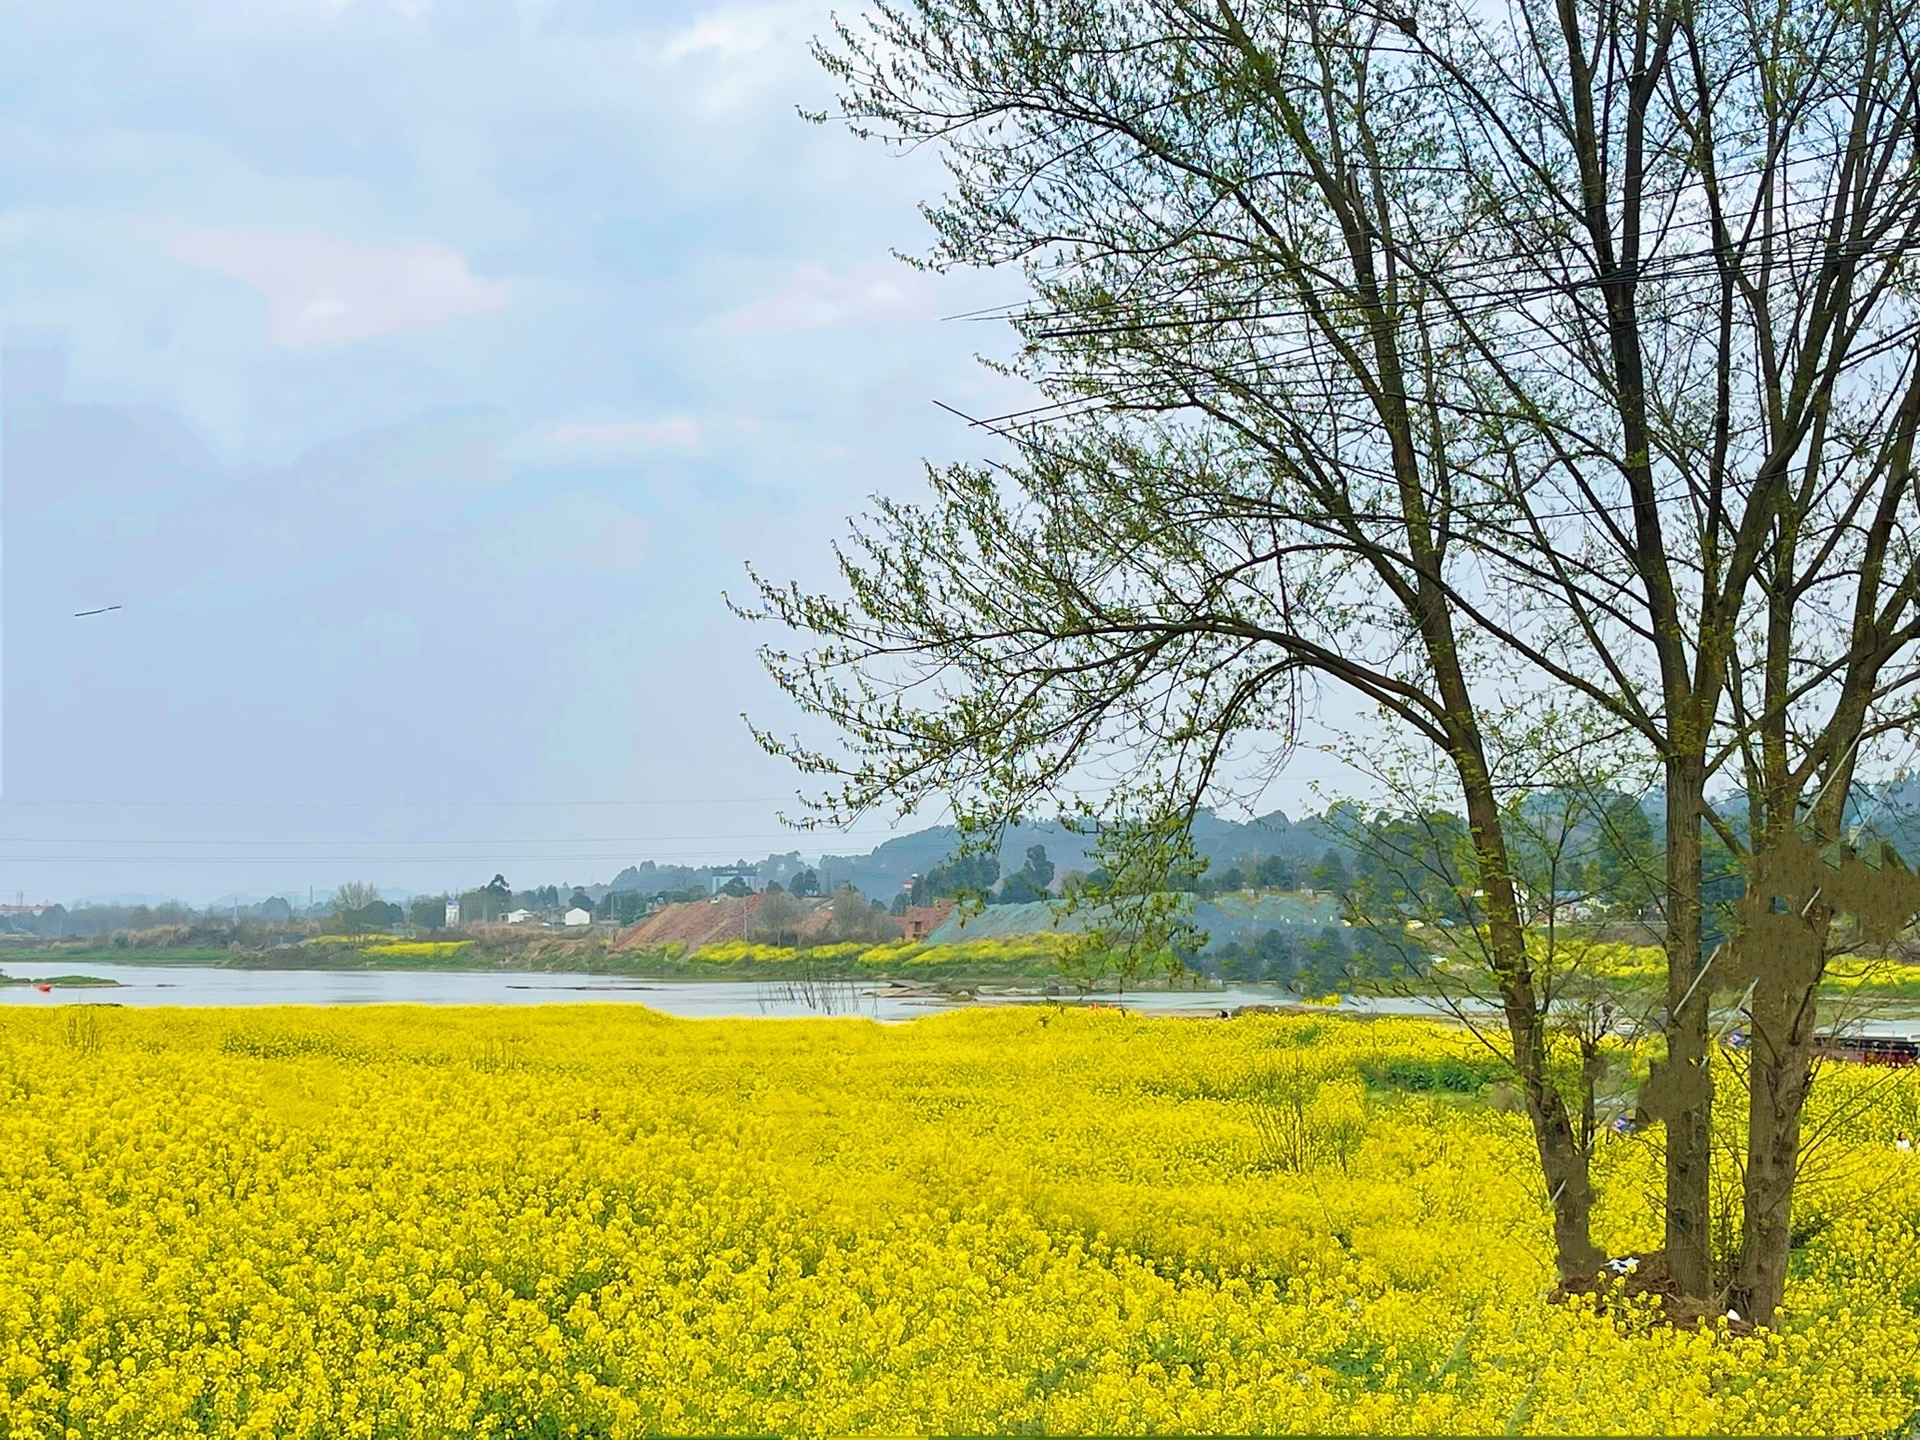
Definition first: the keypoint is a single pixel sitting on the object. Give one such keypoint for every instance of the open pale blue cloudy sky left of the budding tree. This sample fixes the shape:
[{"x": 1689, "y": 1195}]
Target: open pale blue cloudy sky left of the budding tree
[{"x": 414, "y": 379}]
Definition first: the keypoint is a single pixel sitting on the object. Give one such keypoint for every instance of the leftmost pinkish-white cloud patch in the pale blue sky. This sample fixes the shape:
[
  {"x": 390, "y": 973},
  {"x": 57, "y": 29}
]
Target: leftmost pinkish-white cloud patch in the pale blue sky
[{"x": 325, "y": 291}]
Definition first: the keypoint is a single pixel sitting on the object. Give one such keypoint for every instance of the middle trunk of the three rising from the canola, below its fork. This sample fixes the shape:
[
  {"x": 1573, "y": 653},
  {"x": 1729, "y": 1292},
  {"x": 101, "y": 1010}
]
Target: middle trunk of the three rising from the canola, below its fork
[{"x": 1689, "y": 1111}]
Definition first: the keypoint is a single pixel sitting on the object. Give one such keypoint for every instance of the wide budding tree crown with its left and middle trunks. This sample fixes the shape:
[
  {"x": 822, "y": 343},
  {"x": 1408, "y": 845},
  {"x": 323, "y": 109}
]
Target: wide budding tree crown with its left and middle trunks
[{"x": 1479, "y": 364}]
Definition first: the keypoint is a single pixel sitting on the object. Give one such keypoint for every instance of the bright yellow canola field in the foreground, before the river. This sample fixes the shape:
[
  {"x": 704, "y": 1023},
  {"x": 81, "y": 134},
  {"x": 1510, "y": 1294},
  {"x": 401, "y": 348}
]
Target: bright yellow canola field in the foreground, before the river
[{"x": 602, "y": 1222}]
